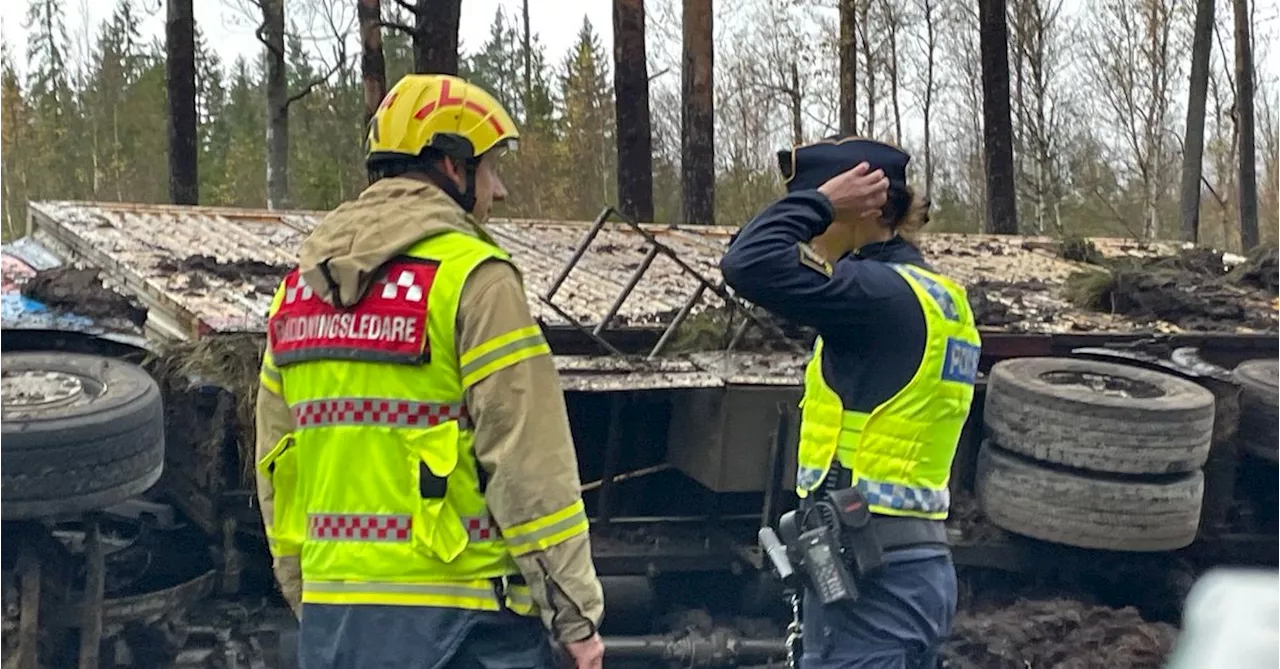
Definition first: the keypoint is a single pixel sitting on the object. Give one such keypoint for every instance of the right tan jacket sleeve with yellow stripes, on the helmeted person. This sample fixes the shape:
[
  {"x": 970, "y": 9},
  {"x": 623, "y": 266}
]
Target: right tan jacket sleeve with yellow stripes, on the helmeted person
[{"x": 523, "y": 441}]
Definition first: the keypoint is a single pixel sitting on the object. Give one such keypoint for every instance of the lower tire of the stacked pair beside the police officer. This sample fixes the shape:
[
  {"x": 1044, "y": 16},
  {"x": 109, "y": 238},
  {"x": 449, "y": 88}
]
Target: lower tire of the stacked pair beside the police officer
[{"x": 1064, "y": 507}]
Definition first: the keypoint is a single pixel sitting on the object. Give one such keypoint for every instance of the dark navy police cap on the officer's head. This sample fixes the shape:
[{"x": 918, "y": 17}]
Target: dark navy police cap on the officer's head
[{"x": 811, "y": 166}]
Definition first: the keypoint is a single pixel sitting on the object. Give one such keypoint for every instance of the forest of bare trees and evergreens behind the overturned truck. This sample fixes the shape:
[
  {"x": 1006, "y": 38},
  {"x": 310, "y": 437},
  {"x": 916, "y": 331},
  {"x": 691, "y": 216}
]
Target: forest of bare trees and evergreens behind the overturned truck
[{"x": 1075, "y": 114}]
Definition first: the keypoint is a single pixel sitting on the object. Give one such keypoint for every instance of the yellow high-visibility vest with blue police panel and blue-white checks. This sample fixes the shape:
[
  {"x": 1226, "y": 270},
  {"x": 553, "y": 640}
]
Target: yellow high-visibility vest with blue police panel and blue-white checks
[{"x": 900, "y": 453}]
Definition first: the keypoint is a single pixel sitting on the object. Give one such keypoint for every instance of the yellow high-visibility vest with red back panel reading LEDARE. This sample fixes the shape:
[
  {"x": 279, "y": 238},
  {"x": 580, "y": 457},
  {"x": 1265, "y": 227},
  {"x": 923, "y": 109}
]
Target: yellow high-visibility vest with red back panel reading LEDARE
[{"x": 378, "y": 488}]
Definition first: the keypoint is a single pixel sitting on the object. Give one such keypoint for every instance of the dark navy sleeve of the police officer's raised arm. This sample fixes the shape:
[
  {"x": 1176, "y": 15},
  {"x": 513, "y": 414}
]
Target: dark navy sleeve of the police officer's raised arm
[{"x": 772, "y": 265}]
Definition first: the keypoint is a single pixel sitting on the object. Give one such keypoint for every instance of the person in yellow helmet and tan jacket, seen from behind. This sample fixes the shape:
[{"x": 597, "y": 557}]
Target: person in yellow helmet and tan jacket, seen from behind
[{"x": 417, "y": 474}]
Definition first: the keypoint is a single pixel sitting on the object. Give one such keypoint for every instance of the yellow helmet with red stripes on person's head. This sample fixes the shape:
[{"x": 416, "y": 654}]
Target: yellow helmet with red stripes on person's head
[{"x": 442, "y": 113}]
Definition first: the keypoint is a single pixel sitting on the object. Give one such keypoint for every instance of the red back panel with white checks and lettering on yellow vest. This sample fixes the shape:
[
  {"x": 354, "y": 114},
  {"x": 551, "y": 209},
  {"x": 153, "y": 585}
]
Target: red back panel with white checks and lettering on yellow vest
[{"x": 388, "y": 326}]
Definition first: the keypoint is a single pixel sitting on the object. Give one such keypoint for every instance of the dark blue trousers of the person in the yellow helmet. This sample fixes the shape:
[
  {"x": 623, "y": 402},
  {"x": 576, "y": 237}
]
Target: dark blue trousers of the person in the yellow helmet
[{"x": 420, "y": 638}]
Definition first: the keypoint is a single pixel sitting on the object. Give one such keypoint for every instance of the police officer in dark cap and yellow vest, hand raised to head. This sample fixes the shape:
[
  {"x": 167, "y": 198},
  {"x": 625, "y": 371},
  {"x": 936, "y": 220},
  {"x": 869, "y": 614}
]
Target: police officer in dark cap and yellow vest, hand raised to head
[{"x": 888, "y": 390}]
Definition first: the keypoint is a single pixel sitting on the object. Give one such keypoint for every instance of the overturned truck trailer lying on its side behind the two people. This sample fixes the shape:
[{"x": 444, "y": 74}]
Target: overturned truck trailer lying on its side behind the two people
[{"x": 683, "y": 404}]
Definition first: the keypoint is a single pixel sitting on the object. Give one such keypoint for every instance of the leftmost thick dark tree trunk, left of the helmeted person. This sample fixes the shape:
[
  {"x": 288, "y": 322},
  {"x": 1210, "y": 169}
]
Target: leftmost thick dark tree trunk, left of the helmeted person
[{"x": 181, "y": 89}]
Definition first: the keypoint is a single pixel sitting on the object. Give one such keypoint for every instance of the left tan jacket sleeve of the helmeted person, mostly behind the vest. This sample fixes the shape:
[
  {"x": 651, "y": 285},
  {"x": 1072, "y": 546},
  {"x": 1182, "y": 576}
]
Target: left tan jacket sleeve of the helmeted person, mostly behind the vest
[{"x": 273, "y": 423}]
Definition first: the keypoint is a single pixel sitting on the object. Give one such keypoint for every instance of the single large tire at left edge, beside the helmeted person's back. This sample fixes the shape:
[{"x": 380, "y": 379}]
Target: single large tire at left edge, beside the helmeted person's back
[{"x": 77, "y": 434}]
